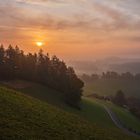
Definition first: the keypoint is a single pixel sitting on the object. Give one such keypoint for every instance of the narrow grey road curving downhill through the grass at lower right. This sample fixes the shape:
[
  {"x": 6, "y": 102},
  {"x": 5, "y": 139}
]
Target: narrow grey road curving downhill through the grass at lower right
[{"x": 118, "y": 123}]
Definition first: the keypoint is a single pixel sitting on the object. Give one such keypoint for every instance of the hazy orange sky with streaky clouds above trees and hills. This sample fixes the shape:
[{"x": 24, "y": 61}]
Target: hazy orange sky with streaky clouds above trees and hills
[{"x": 73, "y": 29}]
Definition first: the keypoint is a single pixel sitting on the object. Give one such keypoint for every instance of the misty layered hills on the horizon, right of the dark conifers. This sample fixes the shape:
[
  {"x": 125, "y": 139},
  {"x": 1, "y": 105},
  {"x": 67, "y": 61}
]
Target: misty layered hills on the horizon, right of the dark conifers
[{"x": 108, "y": 64}]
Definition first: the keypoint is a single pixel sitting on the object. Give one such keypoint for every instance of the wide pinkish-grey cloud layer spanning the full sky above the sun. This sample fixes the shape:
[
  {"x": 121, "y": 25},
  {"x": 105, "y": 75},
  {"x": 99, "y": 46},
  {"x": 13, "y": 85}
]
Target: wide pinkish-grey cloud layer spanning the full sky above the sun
[{"x": 109, "y": 18}]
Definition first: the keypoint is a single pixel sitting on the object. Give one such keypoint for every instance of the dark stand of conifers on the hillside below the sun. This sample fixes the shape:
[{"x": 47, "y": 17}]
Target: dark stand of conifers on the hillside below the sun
[{"x": 41, "y": 68}]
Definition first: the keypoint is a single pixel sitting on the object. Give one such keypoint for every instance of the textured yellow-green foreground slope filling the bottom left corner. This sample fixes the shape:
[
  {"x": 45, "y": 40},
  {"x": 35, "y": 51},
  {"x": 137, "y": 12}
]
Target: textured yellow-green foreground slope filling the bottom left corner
[{"x": 23, "y": 117}]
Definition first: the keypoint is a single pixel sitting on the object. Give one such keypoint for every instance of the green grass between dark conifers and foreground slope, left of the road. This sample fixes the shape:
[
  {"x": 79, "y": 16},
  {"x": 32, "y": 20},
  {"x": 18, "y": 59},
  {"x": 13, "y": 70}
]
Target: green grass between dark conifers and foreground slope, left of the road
[{"x": 91, "y": 111}]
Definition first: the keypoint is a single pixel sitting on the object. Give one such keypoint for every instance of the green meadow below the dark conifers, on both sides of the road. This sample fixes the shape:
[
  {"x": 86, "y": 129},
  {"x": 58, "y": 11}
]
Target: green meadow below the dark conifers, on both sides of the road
[{"x": 92, "y": 110}]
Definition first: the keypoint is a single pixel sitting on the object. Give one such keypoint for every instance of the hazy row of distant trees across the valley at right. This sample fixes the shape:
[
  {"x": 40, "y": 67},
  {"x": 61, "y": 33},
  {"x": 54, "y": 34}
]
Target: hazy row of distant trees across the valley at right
[{"x": 111, "y": 75}]
